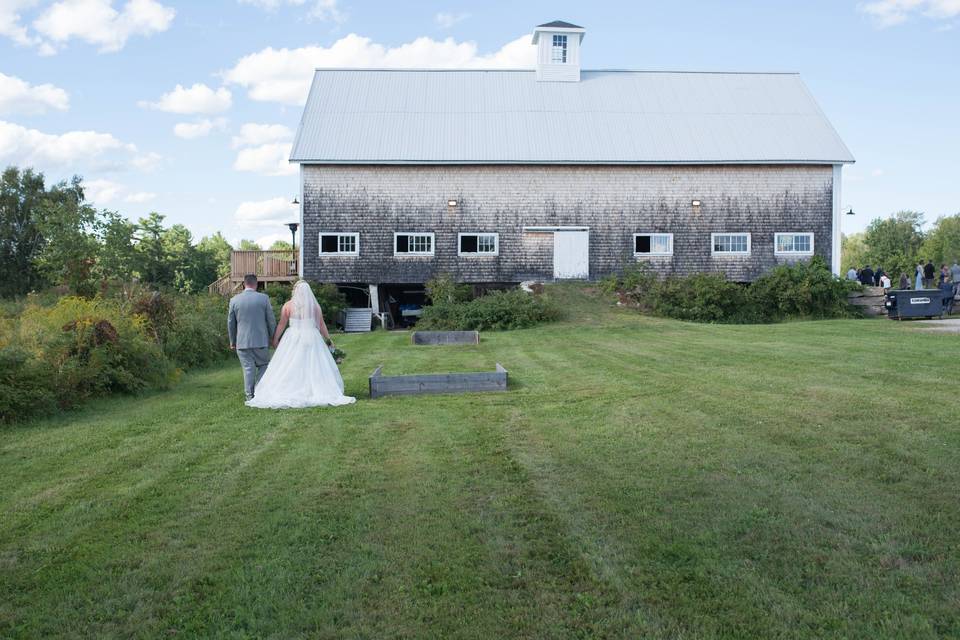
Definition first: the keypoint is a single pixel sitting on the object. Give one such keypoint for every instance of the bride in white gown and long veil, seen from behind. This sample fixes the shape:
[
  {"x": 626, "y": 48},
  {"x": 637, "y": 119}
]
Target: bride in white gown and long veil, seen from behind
[{"x": 302, "y": 372}]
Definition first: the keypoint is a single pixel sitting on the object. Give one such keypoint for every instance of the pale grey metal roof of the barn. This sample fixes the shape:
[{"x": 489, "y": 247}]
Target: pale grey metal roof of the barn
[{"x": 395, "y": 116}]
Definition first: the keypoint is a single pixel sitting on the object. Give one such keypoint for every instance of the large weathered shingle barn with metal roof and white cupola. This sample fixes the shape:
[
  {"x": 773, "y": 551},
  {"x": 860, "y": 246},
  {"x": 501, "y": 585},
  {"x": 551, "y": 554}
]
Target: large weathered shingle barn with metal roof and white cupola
[{"x": 504, "y": 176}]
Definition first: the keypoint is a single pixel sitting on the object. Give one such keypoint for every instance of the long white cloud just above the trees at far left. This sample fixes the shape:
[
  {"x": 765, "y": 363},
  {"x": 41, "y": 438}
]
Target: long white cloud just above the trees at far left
[{"x": 75, "y": 150}]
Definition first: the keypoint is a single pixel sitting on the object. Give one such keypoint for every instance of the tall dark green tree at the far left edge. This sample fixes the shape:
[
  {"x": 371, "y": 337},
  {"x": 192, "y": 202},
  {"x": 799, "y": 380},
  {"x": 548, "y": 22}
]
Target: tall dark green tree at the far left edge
[{"x": 21, "y": 237}]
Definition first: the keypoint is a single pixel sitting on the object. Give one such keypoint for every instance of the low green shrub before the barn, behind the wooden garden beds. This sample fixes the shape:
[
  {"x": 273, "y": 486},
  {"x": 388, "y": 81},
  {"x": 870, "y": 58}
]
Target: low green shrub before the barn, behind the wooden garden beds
[{"x": 498, "y": 310}]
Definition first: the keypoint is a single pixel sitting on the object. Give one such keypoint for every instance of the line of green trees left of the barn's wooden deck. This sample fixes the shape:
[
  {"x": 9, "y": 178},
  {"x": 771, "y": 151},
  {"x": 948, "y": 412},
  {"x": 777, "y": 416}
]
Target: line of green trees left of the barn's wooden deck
[{"x": 50, "y": 236}]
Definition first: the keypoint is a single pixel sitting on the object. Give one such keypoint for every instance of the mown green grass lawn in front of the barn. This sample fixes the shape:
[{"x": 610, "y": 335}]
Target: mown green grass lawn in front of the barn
[{"x": 641, "y": 478}]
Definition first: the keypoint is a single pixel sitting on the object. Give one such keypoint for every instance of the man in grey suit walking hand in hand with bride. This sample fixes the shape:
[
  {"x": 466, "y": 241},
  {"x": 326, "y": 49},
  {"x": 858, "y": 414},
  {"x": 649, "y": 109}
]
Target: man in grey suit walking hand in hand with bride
[{"x": 251, "y": 323}]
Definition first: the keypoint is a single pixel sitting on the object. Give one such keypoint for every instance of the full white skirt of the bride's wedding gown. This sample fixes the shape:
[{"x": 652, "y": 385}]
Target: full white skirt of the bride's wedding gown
[{"x": 302, "y": 372}]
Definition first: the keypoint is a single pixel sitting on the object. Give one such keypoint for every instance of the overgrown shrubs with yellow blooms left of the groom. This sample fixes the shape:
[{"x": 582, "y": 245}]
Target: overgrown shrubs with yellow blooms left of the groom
[{"x": 61, "y": 351}]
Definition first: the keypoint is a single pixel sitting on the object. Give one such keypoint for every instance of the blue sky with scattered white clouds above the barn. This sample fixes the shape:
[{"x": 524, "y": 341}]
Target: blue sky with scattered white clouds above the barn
[{"x": 91, "y": 86}]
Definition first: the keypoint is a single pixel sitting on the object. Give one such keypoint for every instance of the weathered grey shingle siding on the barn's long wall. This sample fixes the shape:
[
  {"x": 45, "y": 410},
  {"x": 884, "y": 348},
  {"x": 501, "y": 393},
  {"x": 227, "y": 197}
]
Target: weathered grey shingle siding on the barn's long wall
[{"x": 614, "y": 201}]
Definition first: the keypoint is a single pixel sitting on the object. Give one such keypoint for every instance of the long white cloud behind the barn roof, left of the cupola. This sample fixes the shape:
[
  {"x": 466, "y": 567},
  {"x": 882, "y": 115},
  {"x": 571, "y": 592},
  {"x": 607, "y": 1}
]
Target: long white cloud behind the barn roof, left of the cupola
[{"x": 284, "y": 75}]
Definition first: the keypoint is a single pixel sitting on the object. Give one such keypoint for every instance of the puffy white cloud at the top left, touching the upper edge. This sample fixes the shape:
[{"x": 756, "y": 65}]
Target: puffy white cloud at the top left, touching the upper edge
[{"x": 97, "y": 22}]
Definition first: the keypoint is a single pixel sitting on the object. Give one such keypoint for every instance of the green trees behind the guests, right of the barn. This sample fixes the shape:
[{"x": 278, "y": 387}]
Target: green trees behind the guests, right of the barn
[{"x": 898, "y": 243}]
